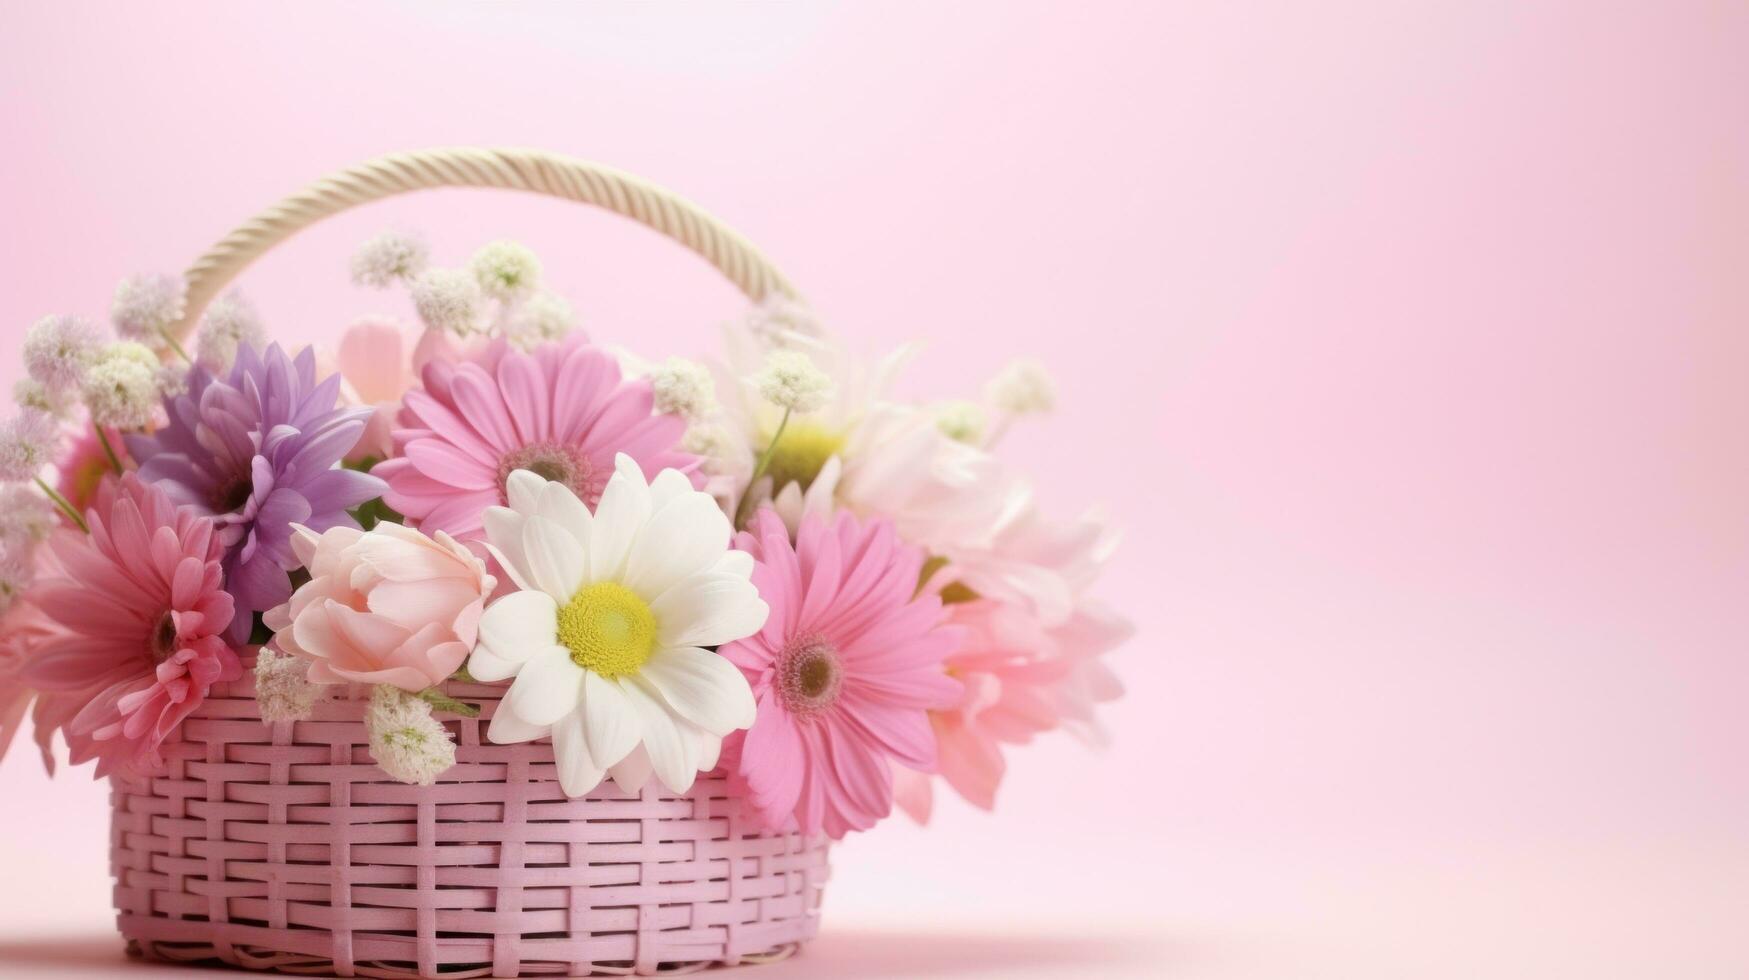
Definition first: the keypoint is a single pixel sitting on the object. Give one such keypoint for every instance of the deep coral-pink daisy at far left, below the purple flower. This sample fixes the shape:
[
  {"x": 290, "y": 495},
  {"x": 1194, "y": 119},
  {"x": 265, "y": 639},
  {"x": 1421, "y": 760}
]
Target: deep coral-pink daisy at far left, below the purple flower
[{"x": 143, "y": 612}]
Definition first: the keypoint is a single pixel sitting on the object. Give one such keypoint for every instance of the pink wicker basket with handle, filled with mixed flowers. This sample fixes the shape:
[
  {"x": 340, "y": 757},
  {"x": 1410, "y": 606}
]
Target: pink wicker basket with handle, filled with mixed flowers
[{"x": 489, "y": 650}]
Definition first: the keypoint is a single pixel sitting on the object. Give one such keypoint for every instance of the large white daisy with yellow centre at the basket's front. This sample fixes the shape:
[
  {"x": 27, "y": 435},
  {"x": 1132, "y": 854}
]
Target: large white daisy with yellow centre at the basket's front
[{"x": 606, "y": 641}]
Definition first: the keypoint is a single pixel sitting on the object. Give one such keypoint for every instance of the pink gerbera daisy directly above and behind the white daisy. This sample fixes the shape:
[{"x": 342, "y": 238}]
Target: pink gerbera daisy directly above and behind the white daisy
[{"x": 562, "y": 412}]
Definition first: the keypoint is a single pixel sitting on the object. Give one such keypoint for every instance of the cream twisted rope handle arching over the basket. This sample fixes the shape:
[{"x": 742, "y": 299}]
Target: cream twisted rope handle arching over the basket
[{"x": 463, "y": 167}]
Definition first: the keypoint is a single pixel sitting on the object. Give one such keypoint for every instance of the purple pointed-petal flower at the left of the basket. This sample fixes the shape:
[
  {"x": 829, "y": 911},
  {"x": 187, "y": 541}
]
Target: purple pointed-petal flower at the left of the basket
[{"x": 258, "y": 452}]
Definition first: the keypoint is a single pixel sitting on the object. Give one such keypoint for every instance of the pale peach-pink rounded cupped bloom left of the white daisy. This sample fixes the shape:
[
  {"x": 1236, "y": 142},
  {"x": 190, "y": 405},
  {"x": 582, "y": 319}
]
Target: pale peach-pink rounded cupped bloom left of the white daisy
[{"x": 384, "y": 606}]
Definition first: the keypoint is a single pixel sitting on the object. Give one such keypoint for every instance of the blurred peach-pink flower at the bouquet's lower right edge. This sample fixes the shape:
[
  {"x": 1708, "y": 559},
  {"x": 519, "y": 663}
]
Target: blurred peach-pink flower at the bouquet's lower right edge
[{"x": 1021, "y": 680}]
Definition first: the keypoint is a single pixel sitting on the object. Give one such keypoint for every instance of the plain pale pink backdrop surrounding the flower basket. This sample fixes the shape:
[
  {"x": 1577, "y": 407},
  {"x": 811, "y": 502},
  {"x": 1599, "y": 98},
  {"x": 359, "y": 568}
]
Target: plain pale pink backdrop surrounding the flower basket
[{"x": 1407, "y": 340}]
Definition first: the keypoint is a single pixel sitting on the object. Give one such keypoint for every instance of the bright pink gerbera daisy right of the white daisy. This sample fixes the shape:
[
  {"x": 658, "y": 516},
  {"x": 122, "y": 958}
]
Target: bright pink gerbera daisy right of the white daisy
[{"x": 846, "y": 673}]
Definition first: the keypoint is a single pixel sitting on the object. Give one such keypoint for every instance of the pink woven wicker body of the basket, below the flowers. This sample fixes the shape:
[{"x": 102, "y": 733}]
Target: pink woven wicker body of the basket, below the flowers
[{"x": 286, "y": 848}]
